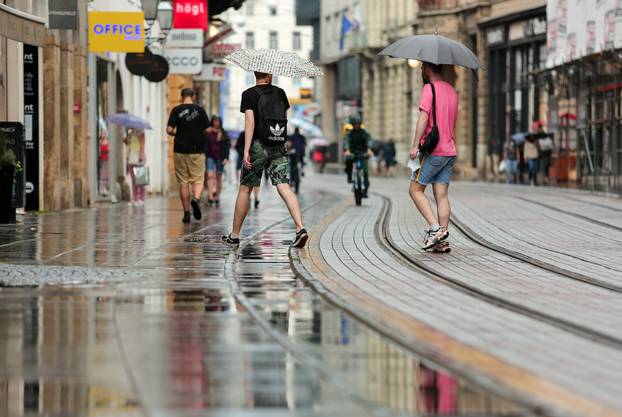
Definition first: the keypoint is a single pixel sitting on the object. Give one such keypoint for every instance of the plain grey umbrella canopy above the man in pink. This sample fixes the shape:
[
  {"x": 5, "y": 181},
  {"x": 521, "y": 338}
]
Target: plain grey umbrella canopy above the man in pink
[{"x": 434, "y": 49}]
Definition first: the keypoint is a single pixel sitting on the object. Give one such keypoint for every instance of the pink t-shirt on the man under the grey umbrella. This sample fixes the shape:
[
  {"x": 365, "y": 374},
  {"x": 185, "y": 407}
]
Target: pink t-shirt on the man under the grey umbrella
[{"x": 446, "y": 113}]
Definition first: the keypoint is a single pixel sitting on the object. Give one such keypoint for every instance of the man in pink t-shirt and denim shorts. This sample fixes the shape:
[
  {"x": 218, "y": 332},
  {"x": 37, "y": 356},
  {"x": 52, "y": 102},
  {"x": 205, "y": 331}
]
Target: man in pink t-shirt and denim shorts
[{"x": 436, "y": 168}]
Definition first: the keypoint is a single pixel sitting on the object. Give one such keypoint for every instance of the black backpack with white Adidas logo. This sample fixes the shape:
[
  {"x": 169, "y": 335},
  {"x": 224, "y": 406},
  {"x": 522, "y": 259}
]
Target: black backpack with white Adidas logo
[{"x": 271, "y": 120}]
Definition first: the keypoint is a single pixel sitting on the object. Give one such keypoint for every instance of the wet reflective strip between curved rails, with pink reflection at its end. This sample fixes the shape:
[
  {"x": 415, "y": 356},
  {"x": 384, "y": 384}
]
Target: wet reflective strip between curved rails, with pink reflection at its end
[{"x": 363, "y": 359}]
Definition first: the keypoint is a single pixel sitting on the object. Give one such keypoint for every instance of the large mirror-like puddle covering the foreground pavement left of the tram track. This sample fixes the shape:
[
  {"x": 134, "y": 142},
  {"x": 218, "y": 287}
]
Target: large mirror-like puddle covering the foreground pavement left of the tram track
[{"x": 181, "y": 345}]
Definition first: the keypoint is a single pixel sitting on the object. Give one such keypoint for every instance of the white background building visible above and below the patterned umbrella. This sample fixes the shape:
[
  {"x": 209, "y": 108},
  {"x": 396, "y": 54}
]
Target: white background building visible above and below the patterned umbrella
[{"x": 255, "y": 17}]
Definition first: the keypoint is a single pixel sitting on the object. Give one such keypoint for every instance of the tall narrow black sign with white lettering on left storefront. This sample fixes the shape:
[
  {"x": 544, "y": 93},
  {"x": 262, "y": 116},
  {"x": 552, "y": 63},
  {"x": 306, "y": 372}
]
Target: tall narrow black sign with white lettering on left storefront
[{"x": 31, "y": 125}]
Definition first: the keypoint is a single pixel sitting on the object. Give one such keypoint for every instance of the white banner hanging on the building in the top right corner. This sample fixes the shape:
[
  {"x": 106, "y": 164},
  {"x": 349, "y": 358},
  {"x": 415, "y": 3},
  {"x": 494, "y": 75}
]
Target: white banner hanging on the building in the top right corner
[{"x": 578, "y": 28}]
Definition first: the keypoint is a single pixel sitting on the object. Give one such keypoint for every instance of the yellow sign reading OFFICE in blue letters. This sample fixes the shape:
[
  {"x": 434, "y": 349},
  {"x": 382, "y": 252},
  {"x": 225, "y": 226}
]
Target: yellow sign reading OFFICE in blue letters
[{"x": 116, "y": 32}]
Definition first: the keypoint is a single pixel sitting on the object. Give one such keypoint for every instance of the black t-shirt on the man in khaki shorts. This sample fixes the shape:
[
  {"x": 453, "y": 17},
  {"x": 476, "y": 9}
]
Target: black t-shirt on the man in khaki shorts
[{"x": 191, "y": 122}]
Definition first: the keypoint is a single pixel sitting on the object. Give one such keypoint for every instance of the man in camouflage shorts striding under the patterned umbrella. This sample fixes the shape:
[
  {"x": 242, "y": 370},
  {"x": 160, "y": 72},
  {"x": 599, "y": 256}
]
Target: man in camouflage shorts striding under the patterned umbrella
[{"x": 259, "y": 156}]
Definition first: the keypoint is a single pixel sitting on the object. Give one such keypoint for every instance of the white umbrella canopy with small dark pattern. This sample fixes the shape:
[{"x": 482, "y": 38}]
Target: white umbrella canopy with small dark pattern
[{"x": 275, "y": 62}]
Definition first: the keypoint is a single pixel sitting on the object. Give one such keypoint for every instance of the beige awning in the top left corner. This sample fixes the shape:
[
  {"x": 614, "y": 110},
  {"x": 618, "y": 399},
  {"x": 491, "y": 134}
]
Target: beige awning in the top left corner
[{"x": 21, "y": 27}]
